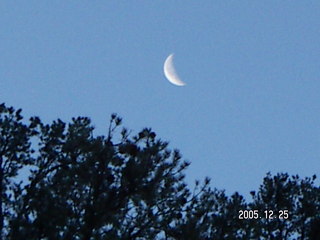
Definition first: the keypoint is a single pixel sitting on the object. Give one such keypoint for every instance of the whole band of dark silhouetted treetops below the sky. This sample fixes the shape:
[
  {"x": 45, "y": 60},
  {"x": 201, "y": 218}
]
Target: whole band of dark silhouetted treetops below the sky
[{"x": 61, "y": 181}]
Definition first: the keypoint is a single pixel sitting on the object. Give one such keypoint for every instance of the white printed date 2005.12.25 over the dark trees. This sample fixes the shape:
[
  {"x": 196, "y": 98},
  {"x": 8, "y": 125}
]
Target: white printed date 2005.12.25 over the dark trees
[{"x": 266, "y": 214}]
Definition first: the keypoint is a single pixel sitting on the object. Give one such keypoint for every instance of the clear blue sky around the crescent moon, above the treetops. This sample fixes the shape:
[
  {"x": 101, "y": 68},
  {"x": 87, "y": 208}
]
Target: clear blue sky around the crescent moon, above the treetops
[{"x": 252, "y": 68}]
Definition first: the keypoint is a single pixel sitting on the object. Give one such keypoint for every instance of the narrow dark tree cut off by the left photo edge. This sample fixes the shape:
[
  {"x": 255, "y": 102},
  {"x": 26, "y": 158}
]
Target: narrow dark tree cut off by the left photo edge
[{"x": 15, "y": 153}]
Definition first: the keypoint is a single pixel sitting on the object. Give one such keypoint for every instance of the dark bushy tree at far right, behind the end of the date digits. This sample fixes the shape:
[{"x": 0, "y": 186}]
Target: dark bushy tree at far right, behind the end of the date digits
[{"x": 299, "y": 197}]
